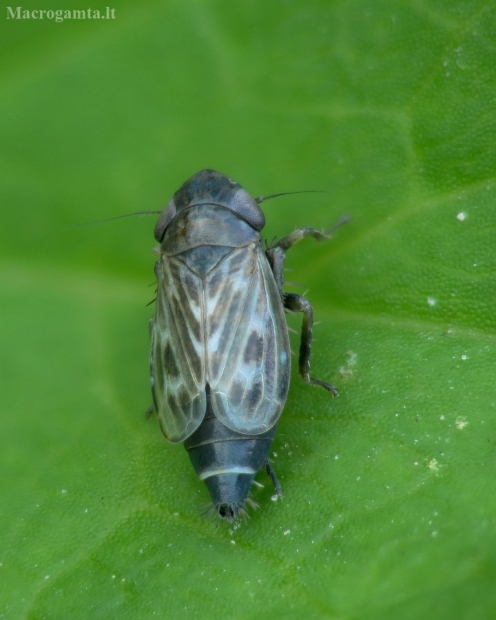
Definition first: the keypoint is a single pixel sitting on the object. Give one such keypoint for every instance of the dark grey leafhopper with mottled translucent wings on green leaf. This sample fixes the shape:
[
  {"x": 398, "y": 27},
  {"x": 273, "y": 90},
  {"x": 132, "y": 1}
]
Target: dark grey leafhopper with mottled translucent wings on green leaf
[{"x": 220, "y": 354}]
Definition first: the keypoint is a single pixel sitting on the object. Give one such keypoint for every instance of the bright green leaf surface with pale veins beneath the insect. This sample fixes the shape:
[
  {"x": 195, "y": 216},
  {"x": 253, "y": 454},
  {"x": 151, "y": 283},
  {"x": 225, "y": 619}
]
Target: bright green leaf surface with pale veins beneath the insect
[{"x": 389, "y": 509}]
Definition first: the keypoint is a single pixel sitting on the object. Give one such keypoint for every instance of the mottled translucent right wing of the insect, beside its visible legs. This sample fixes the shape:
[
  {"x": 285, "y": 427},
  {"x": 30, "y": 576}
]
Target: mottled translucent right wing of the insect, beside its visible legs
[{"x": 248, "y": 355}]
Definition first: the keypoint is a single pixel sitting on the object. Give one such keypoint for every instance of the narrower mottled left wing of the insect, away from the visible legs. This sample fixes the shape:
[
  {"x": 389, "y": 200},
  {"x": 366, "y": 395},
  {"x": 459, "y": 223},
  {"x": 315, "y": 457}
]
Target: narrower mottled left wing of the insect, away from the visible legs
[{"x": 177, "y": 363}]
